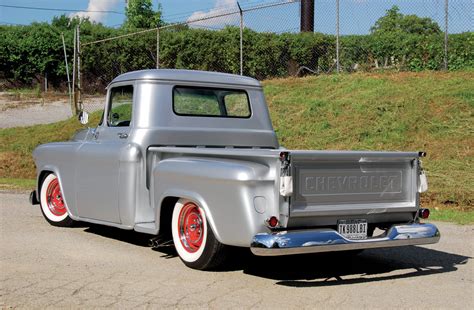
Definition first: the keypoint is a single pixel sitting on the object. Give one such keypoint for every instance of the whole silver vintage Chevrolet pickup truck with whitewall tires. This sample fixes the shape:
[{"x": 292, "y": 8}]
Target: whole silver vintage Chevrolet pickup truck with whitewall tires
[{"x": 191, "y": 157}]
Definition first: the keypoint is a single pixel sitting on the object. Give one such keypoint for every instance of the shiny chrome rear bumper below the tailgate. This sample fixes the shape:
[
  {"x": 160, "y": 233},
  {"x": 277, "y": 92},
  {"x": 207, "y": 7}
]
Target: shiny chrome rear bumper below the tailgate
[{"x": 328, "y": 240}]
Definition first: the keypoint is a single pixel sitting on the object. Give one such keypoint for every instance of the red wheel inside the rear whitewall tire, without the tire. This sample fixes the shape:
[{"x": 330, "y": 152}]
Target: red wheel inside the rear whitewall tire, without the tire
[{"x": 190, "y": 227}]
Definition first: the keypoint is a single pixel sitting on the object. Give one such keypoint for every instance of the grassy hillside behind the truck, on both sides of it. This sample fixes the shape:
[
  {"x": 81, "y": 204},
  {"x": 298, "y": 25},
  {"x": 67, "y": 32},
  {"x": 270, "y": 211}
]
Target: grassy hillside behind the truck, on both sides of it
[{"x": 429, "y": 111}]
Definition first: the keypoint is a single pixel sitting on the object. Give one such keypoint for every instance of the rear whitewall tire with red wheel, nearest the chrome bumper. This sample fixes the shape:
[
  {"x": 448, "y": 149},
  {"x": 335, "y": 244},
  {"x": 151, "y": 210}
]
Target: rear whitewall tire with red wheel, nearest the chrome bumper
[{"x": 193, "y": 238}]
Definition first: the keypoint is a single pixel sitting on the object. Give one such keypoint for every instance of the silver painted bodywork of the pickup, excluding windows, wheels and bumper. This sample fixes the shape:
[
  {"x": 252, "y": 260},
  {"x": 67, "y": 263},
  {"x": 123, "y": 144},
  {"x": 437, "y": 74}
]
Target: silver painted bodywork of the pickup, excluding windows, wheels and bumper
[{"x": 120, "y": 176}]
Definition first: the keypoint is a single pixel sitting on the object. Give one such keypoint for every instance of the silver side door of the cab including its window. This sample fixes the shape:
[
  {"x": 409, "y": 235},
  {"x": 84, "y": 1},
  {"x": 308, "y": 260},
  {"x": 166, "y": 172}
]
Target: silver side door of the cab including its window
[{"x": 98, "y": 159}]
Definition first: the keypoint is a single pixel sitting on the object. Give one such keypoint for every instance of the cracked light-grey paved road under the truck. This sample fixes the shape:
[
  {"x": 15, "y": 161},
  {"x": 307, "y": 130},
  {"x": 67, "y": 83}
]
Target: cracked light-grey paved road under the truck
[{"x": 93, "y": 266}]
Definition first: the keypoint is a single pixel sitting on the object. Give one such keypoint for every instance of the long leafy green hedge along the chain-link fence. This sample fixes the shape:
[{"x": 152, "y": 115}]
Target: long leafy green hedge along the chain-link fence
[{"x": 403, "y": 42}]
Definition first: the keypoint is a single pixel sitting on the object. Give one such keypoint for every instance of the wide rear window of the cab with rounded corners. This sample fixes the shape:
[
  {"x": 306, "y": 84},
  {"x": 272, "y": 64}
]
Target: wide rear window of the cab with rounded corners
[{"x": 213, "y": 102}]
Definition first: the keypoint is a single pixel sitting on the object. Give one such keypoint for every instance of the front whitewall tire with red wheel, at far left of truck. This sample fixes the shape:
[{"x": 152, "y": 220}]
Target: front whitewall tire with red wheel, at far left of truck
[{"x": 52, "y": 203}]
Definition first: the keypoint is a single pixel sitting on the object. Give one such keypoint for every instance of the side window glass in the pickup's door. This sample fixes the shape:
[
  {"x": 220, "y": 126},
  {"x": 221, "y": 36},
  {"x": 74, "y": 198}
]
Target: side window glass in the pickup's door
[{"x": 120, "y": 103}]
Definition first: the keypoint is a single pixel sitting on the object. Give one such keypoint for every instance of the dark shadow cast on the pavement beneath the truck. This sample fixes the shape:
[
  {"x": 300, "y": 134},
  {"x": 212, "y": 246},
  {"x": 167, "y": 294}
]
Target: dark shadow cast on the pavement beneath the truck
[{"x": 314, "y": 270}]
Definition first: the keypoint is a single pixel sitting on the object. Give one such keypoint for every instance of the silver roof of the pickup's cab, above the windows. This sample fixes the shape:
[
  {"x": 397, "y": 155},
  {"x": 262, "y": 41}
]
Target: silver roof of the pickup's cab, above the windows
[{"x": 178, "y": 75}]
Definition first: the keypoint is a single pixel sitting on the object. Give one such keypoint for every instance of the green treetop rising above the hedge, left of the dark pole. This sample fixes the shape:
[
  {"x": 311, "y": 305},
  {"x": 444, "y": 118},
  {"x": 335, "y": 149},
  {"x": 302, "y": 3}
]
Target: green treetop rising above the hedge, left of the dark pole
[{"x": 140, "y": 14}]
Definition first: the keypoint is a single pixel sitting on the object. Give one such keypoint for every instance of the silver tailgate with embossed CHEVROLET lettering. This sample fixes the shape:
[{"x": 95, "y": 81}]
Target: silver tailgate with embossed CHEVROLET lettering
[{"x": 339, "y": 182}]
